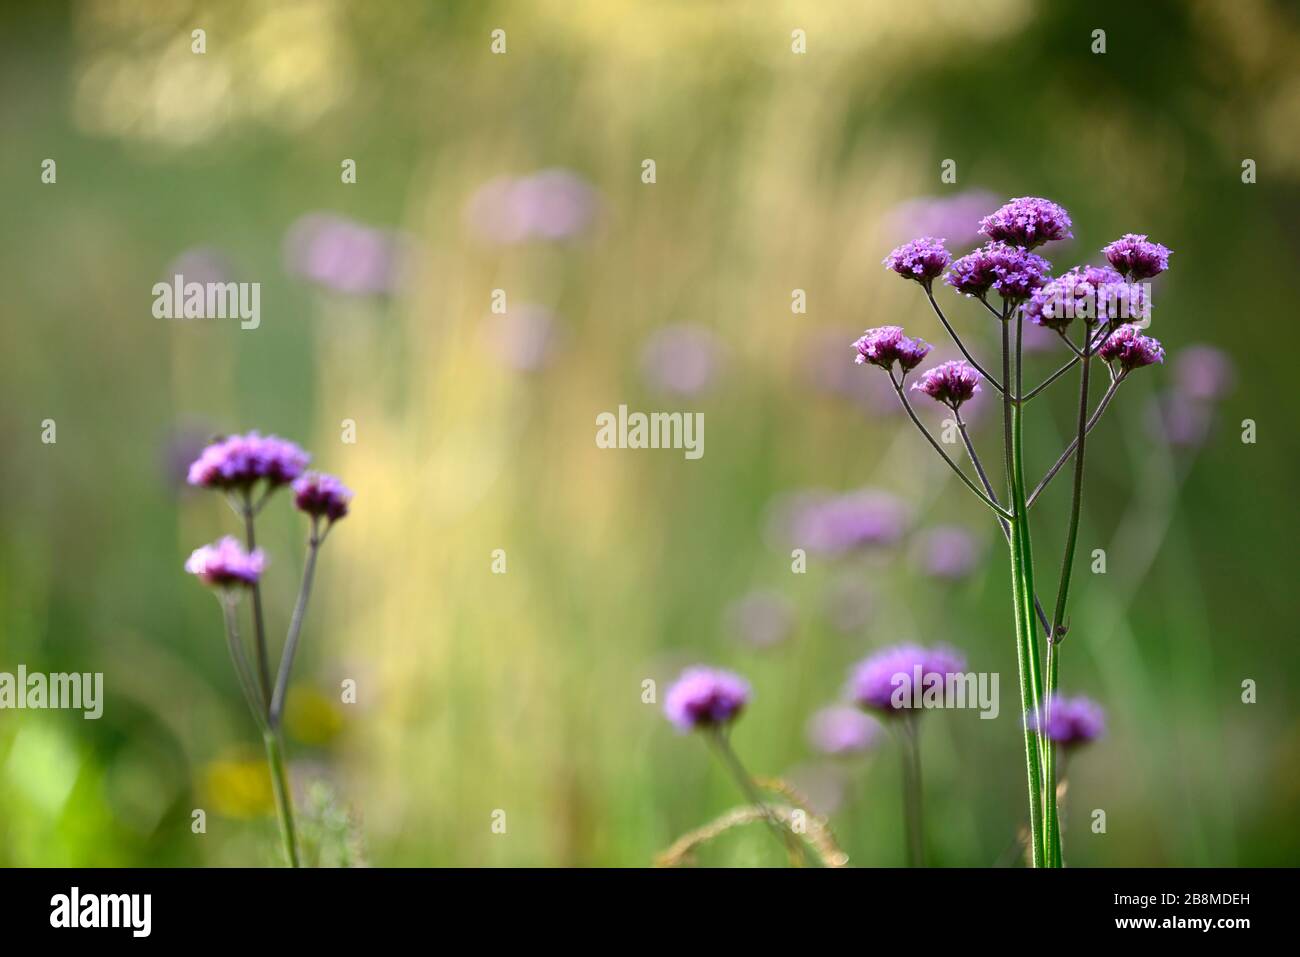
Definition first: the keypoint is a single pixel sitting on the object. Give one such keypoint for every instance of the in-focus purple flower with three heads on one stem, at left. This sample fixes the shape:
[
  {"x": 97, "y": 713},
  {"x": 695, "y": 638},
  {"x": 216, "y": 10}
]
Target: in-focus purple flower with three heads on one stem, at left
[{"x": 250, "y": 470}]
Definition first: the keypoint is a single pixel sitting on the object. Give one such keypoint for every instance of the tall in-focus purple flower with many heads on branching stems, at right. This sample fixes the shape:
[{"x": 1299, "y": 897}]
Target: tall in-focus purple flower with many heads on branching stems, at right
[{"x": 1100, "y": 297}]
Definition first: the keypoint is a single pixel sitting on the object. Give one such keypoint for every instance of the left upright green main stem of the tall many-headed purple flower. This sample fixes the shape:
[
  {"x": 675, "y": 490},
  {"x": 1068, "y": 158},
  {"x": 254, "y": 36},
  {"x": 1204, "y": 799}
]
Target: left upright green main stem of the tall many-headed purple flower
[{"x": 1022, "y": 588}]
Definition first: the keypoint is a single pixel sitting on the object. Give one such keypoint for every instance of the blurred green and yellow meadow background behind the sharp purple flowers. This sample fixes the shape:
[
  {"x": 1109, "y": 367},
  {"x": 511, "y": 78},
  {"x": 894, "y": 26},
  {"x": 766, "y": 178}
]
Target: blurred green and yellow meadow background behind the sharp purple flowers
[{"x": 475, "y": 431}]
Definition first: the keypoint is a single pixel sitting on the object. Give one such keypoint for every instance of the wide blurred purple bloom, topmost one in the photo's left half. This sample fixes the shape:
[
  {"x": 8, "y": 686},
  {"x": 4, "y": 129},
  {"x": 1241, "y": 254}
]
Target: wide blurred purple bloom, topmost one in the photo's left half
[{"x": 548, "y": 205}]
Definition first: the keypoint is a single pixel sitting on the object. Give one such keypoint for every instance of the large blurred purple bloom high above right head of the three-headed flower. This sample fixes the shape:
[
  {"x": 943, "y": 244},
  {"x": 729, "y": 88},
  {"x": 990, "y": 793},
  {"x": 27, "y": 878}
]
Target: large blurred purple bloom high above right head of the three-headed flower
[{"x": 344, "y": 256}]
